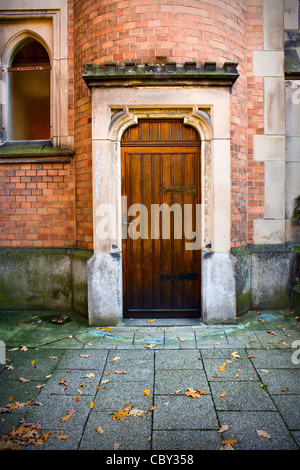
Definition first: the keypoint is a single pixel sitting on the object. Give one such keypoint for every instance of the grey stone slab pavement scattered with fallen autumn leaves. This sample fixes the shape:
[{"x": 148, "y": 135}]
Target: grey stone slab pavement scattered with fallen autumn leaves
[{"x": 148, "y": 385}]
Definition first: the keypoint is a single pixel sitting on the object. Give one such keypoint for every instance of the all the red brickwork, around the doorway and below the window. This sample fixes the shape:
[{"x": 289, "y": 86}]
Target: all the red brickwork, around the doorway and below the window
[{"x": 41, "y": 211}]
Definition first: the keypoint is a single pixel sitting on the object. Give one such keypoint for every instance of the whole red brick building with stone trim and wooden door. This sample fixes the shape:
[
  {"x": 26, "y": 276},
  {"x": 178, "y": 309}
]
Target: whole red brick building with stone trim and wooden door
[{"x": 110, "y": 103}]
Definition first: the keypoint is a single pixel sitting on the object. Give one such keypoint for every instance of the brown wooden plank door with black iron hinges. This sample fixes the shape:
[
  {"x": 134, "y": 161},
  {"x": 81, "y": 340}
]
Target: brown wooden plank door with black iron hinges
[{"x": 160, "y": 166}]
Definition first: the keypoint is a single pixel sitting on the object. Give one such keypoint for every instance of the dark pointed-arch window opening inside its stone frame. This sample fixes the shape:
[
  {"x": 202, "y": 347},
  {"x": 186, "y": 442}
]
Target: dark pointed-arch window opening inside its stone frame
[{"x": 29, "y": 92}]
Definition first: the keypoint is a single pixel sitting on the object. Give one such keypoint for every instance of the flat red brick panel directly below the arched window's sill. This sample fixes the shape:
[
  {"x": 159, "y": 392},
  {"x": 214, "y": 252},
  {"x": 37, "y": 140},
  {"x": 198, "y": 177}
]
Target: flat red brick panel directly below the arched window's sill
[{"x": 37, "y": 205}]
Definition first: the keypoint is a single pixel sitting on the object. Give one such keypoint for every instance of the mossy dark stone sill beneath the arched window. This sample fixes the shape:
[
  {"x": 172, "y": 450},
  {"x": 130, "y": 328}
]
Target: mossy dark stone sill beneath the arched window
[{"x": 34, "y": 152}]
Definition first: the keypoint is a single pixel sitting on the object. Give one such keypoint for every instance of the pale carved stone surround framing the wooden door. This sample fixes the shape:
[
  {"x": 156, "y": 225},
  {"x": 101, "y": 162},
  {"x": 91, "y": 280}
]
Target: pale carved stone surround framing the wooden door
[{"x": 208, "y": 110}]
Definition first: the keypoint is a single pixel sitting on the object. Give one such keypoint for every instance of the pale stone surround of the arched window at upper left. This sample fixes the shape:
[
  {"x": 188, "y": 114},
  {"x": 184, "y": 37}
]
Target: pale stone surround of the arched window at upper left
[{"x": 53, "y": 36}]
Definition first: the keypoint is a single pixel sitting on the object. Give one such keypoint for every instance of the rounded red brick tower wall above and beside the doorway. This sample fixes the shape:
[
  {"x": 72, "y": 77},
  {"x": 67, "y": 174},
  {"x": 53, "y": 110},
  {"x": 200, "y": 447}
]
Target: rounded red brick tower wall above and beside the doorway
[{"x": 145, "y": 30}]
